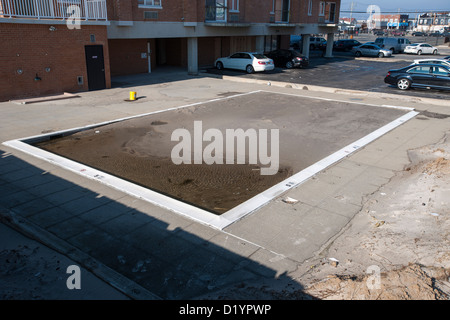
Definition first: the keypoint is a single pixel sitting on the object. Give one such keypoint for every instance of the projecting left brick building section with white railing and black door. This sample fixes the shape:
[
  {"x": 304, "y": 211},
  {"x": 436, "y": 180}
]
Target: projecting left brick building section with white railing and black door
[{"x": 41, "y": 55}]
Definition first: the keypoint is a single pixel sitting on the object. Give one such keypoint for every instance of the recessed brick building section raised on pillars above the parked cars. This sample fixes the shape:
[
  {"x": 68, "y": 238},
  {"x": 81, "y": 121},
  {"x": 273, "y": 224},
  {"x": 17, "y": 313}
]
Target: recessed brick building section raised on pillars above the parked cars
[{"x": 192, "y": 34}]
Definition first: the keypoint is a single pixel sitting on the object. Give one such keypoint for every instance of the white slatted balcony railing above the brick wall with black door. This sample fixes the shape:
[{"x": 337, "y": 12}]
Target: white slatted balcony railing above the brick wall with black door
[{"x": 54, "y": 9}]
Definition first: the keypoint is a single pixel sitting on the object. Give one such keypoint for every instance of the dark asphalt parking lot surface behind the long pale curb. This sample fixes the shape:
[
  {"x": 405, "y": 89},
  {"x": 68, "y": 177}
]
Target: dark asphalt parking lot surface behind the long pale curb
[{"x": 345, "y": 71}]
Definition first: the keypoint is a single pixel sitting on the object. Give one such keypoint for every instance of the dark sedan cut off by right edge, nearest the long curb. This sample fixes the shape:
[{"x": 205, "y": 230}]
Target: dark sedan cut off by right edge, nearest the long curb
[{"x": 421, "y": 76}]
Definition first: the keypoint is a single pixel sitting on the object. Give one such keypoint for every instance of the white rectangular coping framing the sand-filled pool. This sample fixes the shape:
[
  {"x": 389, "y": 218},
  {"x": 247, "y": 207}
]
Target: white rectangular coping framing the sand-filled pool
[{"x": 202, "y": 216}]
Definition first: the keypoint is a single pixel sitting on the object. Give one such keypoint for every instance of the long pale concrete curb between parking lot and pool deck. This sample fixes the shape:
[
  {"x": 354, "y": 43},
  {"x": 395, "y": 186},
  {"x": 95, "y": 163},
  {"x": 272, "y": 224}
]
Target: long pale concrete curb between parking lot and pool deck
[{"x": 337, "y": 90}]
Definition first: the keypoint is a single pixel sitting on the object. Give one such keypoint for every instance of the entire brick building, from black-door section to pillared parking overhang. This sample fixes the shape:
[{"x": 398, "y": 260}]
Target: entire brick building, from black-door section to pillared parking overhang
[{"x": 42, "y": 53}]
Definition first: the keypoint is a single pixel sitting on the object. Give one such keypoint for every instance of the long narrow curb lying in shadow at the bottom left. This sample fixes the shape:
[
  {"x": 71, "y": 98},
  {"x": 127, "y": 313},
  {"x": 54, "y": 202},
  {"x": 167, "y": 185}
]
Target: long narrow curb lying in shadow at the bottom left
[{"x": 116, "y": 280}]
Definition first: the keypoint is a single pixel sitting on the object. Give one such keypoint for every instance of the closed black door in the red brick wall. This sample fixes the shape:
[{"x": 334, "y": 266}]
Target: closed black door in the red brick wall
[{"x": 95, "y": 65}]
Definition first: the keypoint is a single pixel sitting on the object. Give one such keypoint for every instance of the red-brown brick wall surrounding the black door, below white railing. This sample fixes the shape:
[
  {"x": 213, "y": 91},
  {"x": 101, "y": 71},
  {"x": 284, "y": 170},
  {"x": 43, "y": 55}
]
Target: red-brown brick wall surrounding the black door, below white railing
[{"x": 33, "y": 47}]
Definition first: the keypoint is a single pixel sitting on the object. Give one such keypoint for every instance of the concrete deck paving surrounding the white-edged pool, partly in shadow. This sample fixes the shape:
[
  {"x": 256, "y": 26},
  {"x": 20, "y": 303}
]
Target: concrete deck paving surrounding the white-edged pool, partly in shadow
[{"x": 166, "y": 255}]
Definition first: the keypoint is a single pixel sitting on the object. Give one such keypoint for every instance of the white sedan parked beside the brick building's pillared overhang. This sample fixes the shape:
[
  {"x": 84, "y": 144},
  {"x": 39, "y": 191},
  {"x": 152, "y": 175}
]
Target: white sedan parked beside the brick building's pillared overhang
[{"x": 247, "y": 61}]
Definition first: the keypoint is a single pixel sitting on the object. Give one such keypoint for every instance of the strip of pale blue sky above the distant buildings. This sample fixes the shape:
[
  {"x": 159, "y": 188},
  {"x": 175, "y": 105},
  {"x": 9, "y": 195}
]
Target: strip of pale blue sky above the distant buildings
[{"x": 392, "y": 6}]
